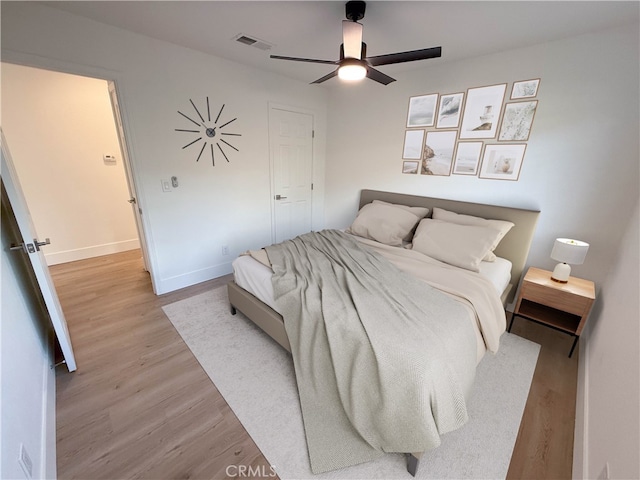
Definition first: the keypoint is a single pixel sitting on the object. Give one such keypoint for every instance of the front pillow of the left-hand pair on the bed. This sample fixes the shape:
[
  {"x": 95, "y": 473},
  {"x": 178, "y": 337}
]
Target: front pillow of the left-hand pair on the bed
[{"x": 384, "y": 223}]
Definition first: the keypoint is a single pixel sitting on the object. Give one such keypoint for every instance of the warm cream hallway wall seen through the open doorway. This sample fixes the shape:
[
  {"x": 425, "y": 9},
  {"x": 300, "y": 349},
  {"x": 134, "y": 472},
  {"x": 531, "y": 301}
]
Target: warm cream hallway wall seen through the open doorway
[{"x": 58, "y": 127}]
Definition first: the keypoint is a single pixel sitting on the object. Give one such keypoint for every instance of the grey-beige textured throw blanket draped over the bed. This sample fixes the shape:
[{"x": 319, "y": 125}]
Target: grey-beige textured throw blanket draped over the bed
[{"x": 381, "y": 366}]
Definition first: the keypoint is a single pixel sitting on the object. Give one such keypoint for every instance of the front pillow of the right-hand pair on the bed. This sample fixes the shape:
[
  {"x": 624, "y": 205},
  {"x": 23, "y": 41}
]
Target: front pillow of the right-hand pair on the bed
[{"x": 463, "y": 246}]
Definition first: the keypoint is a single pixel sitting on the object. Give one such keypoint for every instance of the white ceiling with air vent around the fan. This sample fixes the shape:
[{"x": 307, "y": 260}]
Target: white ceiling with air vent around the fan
[{"x": 313, "y": 29}]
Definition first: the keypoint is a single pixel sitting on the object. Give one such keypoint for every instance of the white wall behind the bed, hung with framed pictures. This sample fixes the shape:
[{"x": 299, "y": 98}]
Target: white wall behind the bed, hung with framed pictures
[{"x": 581, "y": 165}]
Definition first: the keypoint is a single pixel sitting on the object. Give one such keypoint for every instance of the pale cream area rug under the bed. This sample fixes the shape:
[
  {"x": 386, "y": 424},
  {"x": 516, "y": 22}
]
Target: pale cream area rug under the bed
[{"x": 255, "y": 376}]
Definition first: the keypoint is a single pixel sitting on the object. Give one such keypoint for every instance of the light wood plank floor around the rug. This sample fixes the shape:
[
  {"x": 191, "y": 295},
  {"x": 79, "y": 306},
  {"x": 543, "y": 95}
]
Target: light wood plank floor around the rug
[{"x": 140, "y": 405}]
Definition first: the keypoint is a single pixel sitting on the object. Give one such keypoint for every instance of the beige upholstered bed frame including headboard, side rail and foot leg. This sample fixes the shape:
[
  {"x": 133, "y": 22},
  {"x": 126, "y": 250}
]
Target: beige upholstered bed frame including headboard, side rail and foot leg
[{"x": 514, "y": 247}]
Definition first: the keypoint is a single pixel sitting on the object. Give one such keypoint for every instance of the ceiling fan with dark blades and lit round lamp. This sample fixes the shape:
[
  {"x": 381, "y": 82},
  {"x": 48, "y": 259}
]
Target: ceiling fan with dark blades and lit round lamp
[{"x": 354, "y": 63}]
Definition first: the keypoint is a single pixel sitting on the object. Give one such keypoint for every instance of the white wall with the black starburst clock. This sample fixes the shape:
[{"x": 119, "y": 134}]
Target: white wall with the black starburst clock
[{"x": 229, "y": 204}]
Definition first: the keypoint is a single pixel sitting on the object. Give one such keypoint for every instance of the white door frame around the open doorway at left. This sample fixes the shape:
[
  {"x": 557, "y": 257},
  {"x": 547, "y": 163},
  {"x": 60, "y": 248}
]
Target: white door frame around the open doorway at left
[{"x": 135, "y": 186}]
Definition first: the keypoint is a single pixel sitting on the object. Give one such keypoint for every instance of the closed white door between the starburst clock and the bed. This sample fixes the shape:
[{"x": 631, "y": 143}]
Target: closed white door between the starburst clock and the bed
[{"x": 291, "y": 141}]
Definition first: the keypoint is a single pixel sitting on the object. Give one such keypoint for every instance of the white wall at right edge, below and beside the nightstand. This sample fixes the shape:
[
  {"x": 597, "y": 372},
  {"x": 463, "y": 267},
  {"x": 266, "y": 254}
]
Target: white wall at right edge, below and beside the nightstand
[{"x": 611, "y": 405}]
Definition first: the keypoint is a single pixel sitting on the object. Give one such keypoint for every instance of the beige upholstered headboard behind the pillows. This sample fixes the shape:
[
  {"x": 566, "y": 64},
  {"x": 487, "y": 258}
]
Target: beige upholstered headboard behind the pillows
[{"x": 514, "y": 246}]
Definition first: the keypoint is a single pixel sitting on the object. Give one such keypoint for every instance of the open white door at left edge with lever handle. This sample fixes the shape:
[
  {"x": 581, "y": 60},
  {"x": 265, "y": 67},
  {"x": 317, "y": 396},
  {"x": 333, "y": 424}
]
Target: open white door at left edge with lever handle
[{"x": 31, "y": 246}]
